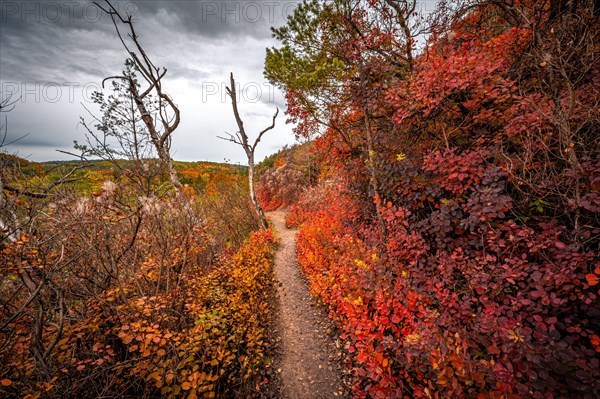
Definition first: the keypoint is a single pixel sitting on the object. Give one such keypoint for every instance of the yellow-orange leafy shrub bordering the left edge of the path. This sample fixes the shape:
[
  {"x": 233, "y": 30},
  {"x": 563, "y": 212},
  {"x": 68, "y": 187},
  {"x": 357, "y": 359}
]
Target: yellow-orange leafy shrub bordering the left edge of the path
[{"x": 218, "y": 349}]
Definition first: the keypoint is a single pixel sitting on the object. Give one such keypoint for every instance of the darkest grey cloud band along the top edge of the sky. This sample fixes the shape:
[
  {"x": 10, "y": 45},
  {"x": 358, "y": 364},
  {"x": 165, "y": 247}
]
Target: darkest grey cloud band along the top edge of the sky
[{"x": 225, "y": 18}]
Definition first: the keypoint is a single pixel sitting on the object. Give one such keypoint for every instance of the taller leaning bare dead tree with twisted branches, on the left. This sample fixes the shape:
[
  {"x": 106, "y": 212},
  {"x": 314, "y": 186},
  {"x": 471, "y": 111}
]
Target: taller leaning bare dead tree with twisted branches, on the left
[{"x": 166, "y": 118}]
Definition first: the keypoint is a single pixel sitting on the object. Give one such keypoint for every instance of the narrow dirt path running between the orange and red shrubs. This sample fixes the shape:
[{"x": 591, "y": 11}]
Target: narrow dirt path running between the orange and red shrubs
[{"x": 308, "y": 367}]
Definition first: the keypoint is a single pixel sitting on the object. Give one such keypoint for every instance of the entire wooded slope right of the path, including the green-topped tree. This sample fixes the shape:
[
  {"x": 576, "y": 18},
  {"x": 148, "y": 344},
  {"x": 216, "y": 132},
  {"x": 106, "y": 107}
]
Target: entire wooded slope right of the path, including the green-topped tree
[{"x": 448, "y": 209}]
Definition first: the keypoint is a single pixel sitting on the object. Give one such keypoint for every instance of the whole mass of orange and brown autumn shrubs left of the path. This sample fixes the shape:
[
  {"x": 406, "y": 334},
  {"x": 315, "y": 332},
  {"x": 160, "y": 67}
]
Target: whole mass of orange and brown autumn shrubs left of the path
[{"x": 109, "y": 297}]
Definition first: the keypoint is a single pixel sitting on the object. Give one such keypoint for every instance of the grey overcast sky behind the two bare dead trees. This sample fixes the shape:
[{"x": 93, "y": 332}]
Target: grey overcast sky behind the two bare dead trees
[{"x": 54, "y": 54}]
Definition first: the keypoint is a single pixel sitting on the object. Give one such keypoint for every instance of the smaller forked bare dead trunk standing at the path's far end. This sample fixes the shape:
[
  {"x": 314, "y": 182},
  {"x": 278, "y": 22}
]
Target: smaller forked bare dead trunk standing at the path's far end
[{"x": 241, "y": 138}]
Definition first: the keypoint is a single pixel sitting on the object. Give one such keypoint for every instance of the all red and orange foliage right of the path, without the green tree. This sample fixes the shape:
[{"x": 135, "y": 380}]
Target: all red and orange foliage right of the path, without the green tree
[{"x": 476, "y": 275}]
